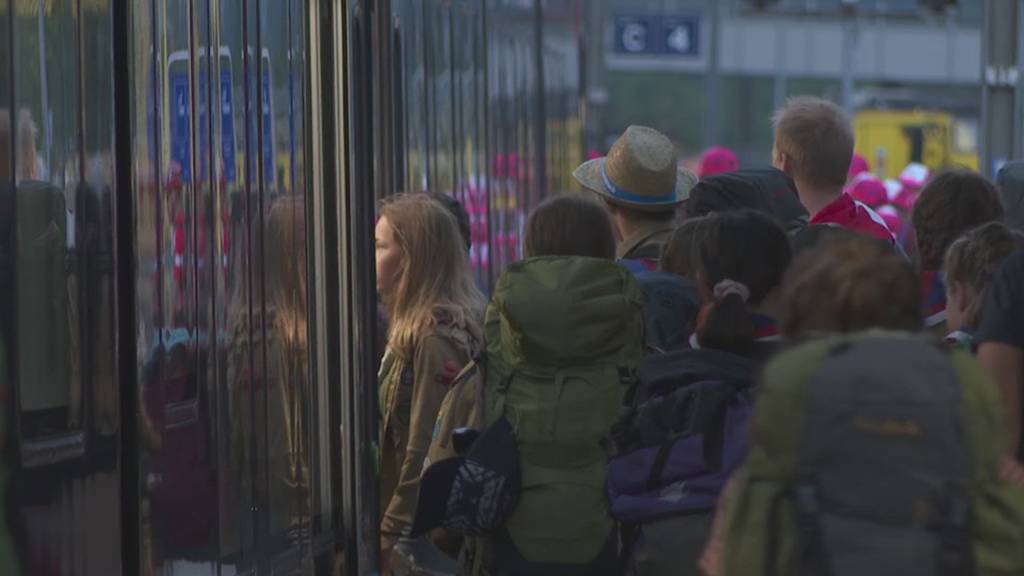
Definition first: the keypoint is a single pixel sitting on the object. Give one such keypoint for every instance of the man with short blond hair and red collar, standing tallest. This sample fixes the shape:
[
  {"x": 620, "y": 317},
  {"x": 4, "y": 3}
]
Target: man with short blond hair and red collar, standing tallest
[{"x": 815, "y": 146}]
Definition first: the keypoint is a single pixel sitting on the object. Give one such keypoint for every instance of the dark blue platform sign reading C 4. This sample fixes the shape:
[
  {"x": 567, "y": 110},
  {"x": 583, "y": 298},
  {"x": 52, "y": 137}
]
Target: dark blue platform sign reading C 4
[{"x": 658, "y": 35}]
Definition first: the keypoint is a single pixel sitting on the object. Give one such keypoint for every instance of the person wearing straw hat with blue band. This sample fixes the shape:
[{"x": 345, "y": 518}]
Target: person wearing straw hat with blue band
[{"x": 643, "y": 186}]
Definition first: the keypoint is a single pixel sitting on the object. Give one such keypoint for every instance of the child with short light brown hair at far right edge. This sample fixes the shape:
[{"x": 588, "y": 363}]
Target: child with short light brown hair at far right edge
[{"x": 970, "y": 264}]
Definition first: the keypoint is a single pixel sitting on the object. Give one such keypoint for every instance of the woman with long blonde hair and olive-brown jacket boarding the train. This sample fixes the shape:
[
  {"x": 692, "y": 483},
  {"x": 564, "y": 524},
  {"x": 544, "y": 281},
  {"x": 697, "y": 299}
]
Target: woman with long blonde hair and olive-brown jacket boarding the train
[{"x": 435, "y": 315}]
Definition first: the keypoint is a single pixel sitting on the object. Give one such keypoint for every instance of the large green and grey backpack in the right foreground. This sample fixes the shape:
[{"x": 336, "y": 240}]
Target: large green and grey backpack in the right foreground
[{"x": 875, "y": 455}]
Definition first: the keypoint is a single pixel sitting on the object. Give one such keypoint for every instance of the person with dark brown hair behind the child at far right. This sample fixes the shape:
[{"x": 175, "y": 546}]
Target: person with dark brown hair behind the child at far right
[{"x": 953, "y": 203}]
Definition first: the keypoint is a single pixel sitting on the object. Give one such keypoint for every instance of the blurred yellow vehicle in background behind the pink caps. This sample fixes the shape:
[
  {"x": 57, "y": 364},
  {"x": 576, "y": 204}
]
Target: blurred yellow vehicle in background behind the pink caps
[{"x": 892, "y": 139}]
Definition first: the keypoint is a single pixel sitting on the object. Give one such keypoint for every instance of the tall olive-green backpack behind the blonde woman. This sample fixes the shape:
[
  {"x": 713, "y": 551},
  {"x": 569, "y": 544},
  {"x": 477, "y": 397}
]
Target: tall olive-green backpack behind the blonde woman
[{"x": 565, "y": 338}]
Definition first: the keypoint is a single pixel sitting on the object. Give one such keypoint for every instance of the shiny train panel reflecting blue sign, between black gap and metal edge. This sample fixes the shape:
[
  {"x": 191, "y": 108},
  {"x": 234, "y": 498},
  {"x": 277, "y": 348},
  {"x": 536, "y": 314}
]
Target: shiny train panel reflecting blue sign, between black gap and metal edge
[{"x": 227, "y": 468}]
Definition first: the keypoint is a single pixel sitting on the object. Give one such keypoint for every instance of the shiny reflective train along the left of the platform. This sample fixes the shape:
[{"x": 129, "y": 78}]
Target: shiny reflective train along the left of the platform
[{"x": 188, "y": 191}]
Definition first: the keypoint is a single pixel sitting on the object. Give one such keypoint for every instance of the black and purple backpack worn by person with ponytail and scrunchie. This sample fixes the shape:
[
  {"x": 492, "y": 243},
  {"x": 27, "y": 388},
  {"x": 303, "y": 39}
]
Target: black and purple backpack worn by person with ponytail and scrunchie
[{"x": 676, "y": 450}]
